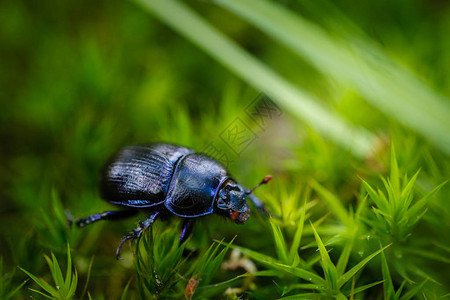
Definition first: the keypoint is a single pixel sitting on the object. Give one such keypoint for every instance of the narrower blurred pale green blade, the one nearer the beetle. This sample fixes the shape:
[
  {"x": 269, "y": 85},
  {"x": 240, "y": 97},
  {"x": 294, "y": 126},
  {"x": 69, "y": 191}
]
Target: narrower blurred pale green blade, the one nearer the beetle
[{"x": 291, "y": 98}]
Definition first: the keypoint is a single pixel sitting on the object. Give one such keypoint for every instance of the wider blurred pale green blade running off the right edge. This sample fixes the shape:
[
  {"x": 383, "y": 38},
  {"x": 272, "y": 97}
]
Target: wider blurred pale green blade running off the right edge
[{"x": 385, "y": 83}]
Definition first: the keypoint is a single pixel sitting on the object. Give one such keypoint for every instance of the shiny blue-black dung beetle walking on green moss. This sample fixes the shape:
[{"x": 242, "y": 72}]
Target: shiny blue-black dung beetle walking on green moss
[{"x": 165, "y": 179}]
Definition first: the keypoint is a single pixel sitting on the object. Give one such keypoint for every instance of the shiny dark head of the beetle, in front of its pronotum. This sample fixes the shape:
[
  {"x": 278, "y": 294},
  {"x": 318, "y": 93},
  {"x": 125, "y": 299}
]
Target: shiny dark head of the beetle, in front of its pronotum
[{"x": 231, "y": 202}]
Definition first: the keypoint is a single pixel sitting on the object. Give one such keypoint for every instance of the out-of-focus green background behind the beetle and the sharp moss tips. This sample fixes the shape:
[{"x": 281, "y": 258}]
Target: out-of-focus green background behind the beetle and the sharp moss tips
[{"x": 80, "y": 79}]
